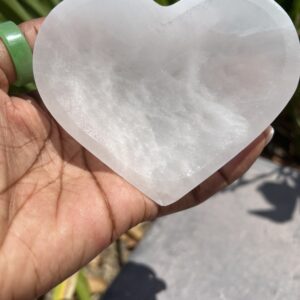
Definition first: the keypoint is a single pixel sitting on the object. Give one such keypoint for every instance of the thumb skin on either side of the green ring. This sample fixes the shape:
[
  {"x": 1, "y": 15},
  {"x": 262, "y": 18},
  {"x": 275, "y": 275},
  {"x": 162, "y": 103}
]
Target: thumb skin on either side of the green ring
[{"x": 7, "y": 70}]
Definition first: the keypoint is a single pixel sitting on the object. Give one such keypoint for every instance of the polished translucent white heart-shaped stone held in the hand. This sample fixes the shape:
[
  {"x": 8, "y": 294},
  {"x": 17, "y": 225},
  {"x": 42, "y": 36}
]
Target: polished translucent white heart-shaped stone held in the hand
[{"x": 166, "y": 95}]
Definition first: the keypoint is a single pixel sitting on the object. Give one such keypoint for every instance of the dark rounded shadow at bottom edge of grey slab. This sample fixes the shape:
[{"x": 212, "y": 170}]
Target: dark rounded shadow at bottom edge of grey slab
[{"x": 136, "y": 282}]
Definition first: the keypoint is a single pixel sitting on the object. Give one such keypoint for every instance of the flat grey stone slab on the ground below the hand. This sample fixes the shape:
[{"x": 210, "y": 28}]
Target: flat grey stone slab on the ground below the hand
[{"x": 243, "y": 244}]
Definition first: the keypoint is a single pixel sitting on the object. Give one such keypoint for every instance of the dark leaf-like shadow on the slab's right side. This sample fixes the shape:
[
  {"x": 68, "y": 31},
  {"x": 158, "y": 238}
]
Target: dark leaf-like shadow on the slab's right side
[{"x": 281, "y": 190}]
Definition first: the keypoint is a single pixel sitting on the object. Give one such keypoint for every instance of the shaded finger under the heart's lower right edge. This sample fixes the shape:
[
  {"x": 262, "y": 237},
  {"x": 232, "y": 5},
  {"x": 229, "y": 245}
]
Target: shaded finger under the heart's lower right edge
[{"x": 223, "y": 177}]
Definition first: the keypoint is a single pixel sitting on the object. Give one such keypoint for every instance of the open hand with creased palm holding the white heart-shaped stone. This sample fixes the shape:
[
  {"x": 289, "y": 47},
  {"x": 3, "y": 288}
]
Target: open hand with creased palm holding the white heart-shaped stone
[{"x": 59, "y": 205}]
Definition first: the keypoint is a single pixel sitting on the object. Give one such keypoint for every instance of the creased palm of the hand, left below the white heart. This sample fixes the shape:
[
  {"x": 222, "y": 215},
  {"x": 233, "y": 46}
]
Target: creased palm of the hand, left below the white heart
[{"x": 60, "y": 205}]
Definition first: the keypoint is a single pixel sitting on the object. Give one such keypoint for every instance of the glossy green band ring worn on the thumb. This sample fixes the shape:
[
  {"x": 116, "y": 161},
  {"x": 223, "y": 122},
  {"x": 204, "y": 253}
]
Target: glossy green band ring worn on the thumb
[{"x": 19, "y": 51}]
